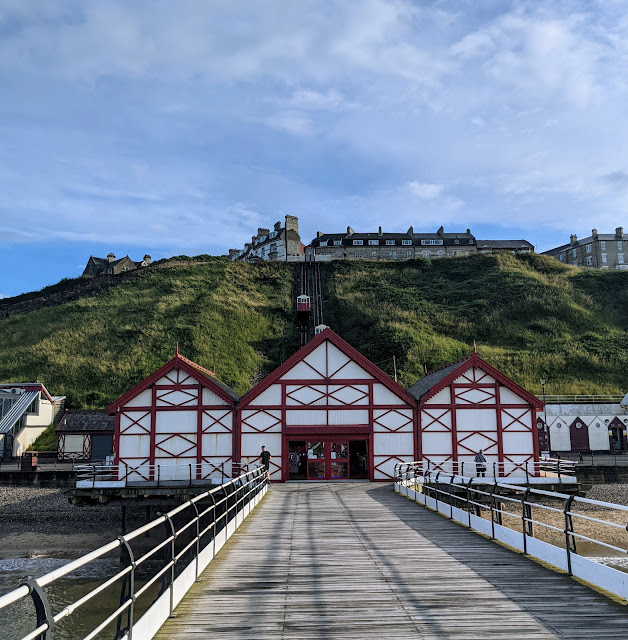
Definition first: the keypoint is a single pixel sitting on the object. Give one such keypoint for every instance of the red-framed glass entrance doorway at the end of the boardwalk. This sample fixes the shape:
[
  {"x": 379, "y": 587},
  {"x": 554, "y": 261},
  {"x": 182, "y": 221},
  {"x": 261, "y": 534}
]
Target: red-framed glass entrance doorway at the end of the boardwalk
[{"x": 334, "y": 458}]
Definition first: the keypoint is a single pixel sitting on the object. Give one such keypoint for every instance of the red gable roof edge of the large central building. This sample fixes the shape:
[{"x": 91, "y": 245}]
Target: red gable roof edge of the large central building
[{"x": 327, "y": 335}]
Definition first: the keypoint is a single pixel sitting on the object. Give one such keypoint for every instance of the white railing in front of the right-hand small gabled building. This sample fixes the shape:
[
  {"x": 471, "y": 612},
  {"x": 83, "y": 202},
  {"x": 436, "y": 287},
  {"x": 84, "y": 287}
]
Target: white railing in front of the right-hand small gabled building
[{"x": 551, "y": 469}]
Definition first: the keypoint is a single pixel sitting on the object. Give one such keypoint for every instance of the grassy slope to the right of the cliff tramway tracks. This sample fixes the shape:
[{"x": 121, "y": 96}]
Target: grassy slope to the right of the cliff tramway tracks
[{"x": 530, "y": 316}]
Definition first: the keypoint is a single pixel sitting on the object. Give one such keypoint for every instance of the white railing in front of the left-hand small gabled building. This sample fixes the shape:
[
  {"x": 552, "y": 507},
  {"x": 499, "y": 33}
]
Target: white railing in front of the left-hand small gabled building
[{"x": 155, "y": 475}]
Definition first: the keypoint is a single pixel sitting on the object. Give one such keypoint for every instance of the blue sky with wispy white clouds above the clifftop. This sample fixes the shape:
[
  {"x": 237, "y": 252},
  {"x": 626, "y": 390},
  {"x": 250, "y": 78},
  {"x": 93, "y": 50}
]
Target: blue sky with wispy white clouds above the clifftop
[{"x": 167, "y": 127}]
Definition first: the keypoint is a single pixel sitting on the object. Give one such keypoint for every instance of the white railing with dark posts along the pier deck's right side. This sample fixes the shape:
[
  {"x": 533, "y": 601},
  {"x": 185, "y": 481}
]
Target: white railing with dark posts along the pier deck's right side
[{"x": 507, "y": 513}]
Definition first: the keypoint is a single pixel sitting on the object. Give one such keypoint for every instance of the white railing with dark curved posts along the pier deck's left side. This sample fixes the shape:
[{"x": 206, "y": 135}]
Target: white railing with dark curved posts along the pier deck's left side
[{"x": 192, "y": 535}]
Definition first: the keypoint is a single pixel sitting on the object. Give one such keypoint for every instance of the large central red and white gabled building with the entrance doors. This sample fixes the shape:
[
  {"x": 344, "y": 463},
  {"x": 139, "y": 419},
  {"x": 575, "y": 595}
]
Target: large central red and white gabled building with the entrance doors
[{"x": 328, "y": 413}]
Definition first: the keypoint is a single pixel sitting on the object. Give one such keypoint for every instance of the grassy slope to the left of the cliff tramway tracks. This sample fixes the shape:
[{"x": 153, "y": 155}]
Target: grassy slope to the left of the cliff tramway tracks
[{"x": 223, "y": 314}]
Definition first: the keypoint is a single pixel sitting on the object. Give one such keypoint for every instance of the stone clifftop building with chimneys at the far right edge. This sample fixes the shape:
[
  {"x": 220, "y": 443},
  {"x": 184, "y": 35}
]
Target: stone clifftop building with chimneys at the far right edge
[{"x": 598, "y": 251}]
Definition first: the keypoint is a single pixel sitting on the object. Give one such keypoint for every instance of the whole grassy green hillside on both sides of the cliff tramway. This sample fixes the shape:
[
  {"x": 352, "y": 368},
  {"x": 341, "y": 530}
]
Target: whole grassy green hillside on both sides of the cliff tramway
[{"x": 529, "y": 315}]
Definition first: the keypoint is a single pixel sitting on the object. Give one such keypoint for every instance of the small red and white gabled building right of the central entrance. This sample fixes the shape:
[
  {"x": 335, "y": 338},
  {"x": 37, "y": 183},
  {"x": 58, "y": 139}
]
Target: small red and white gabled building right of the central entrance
[{"x": 469, "y": 405}]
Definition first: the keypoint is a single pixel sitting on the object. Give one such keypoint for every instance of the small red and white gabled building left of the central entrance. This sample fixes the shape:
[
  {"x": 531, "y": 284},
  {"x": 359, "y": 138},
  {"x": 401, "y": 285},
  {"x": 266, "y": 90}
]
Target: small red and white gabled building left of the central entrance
[{"x": 179, "y": 420}]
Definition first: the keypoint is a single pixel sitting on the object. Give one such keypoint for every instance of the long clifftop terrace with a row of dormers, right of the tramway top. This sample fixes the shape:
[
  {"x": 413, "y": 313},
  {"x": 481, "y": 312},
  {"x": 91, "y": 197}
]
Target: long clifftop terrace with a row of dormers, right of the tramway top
[{"x": 404, "y": 246}]
